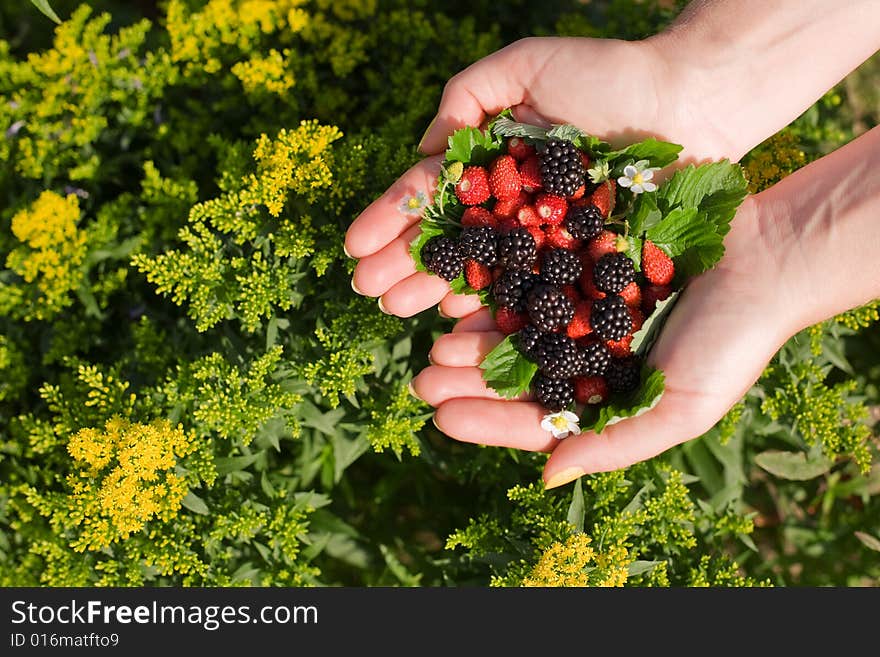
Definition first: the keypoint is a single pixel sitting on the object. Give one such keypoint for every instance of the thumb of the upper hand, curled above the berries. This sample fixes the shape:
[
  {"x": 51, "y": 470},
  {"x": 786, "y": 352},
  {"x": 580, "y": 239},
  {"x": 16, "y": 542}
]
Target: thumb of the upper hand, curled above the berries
[{"x": 486, "y": 87}]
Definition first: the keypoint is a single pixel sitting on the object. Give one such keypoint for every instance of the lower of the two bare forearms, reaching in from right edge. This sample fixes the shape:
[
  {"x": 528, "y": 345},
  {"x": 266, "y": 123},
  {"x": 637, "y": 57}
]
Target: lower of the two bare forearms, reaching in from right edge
[{"x": 824, "y": 225}]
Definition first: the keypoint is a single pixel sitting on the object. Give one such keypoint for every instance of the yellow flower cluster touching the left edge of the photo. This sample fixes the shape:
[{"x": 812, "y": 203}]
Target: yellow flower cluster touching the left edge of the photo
[{"x": 49, "y": 258}]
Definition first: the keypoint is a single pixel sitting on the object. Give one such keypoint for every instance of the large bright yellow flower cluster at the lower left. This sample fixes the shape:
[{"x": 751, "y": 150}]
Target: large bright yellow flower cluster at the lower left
[{"x": 126, "y": 479}]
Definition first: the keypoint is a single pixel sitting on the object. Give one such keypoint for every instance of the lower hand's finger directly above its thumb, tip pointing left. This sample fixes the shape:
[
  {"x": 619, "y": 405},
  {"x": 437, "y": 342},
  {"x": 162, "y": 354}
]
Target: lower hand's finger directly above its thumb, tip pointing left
[{"x": 500, "y": 423}]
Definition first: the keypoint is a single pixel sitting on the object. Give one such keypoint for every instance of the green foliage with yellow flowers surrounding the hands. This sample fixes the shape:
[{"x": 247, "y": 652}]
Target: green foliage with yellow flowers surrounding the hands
[{"x": 191, "y": 395}]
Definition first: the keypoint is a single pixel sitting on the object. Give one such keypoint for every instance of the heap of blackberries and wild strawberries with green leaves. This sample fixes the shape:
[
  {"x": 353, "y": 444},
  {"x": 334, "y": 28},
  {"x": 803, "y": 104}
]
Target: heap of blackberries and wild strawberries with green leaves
[{"x": 573, "y": 246}]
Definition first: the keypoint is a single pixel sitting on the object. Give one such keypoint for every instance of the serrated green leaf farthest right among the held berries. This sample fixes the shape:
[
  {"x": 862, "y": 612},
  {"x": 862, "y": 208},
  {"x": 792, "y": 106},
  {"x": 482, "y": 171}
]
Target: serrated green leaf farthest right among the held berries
[{"x": 717, "y": 189}]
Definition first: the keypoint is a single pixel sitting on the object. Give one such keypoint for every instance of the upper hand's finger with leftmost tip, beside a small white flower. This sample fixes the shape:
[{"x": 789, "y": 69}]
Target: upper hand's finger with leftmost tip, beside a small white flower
[{"x": 385, "y": 219}]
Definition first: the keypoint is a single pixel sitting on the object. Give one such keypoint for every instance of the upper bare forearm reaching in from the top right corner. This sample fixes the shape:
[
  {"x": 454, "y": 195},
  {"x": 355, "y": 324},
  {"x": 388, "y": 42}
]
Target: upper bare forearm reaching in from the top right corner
[{"x": 752, "y": 66}]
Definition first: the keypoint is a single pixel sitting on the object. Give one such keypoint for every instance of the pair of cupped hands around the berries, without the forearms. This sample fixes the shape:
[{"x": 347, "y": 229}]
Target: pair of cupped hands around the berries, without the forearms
[{"x": 717, "y": 340}]
